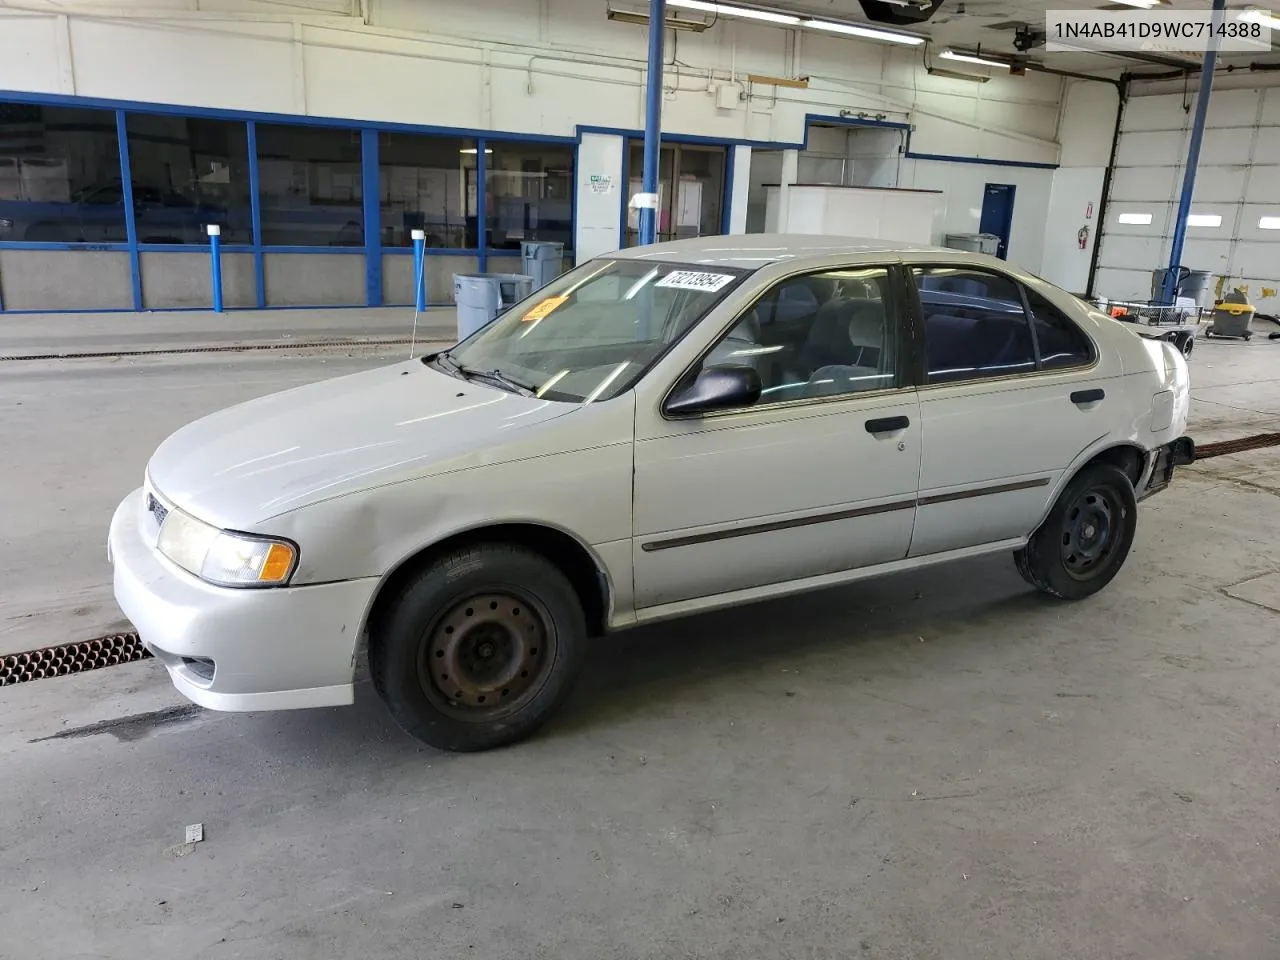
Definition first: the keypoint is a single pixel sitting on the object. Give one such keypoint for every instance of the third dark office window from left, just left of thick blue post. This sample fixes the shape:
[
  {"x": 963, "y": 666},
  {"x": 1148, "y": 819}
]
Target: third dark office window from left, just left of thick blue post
[{"x": 310, "y": 186}]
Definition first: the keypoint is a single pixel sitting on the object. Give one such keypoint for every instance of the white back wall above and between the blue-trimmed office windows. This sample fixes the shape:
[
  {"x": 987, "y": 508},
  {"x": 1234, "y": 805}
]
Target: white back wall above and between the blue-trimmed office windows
[{"x": 545, "y": 68}]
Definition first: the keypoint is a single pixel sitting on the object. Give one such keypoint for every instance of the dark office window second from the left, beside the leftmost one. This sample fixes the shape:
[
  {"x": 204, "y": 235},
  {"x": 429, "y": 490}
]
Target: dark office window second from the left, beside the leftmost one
[{"x": 189, "y": 173}]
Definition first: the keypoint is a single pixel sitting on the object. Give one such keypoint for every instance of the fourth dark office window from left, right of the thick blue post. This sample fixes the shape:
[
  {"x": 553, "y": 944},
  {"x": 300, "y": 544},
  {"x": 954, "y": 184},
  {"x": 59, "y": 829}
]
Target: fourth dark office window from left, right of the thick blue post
[{"x": 426, "y": 182}]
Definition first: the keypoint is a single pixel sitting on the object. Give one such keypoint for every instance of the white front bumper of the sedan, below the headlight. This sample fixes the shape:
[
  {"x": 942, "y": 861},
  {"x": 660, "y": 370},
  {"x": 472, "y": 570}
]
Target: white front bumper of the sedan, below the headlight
[{"x": 231, "y": 650}]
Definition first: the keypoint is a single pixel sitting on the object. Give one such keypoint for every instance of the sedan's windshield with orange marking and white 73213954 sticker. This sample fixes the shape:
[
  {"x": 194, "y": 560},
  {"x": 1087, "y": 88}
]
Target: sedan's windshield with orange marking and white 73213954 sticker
[{"x": 589, "y": 335}]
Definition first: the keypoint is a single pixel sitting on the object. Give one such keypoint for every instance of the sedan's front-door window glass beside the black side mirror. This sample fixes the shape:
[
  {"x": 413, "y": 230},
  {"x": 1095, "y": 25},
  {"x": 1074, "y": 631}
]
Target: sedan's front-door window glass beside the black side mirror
[{"x": 825, "y": 335}]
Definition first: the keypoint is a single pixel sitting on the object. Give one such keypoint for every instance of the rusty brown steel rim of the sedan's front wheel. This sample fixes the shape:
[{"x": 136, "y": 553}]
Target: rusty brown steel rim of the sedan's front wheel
[{"x": 488, "y": 655}]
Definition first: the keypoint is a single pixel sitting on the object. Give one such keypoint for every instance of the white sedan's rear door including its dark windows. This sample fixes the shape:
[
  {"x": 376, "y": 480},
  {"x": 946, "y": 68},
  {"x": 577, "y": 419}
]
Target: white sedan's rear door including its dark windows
[{"x": 1012, "y": 395}]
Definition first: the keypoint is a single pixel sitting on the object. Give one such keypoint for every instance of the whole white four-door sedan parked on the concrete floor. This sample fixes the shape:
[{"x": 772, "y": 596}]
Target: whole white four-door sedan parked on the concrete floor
[{"x": 661, "y": 431}]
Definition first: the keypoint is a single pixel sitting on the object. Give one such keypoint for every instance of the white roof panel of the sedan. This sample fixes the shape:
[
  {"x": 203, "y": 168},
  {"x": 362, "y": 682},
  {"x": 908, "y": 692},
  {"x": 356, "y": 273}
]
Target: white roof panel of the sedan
[{"x": 753, "y": 252}]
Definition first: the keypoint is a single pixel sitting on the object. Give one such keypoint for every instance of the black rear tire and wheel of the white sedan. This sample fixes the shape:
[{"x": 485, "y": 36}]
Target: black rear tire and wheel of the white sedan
[{"x": 1086, "y": 538}]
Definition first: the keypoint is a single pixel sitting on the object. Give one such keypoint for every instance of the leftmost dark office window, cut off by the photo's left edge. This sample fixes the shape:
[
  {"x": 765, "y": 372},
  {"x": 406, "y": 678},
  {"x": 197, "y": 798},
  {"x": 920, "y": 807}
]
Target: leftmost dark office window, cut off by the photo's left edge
[{"x": 60, "y": 176}]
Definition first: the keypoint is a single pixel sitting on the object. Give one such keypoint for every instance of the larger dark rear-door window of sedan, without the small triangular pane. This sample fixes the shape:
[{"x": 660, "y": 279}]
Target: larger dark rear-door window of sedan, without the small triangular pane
[{"x": 975, "y": 324}]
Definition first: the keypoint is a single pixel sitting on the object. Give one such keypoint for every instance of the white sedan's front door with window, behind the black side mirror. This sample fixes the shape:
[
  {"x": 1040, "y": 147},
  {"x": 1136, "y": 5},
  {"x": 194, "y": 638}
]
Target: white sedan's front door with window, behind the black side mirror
[{"x": 817, "y": 477}]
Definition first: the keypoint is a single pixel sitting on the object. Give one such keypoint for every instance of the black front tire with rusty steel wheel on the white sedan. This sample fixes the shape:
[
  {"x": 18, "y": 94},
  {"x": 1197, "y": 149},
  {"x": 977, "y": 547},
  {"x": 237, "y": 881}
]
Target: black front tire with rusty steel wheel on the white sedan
[{"x": 479, "y": 650}]
